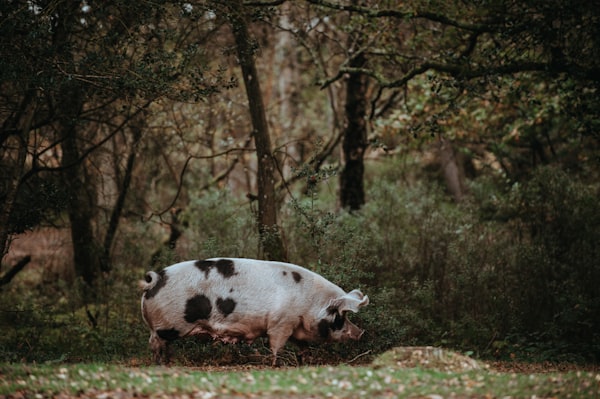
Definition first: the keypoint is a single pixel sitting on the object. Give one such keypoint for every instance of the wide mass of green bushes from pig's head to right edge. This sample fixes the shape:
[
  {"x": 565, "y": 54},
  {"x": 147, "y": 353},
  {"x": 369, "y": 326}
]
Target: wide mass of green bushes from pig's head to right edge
[{"x": 507, "y": 267}]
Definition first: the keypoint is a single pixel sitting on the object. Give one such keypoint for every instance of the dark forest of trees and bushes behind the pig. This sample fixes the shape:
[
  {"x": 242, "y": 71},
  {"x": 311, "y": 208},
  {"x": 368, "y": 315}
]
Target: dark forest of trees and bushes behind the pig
[{"x": 443, "y": 156}]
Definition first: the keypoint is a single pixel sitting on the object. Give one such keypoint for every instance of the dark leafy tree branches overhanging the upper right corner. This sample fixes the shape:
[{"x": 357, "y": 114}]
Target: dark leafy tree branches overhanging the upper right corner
[{"x": 467, "y": 51}]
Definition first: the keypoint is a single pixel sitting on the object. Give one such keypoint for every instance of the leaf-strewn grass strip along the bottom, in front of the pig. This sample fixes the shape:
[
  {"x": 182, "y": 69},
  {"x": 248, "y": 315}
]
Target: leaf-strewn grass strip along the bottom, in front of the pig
[{"x": 382, "y": 379}]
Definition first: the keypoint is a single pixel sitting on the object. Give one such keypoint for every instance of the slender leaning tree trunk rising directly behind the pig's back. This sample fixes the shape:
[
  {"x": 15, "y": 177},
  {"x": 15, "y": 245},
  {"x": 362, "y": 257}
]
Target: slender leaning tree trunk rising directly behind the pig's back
[{"x": 270, "y": 235}]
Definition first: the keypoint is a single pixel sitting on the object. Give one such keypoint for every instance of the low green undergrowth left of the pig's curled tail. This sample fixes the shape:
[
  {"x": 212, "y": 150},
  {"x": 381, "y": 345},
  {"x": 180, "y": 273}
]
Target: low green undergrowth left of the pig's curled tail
[{"x": 39, "y": 325}]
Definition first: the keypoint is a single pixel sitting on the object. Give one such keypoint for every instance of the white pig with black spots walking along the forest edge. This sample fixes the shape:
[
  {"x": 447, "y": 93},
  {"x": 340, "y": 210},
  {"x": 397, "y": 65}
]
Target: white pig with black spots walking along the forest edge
[{"x": 235, "y": 299}]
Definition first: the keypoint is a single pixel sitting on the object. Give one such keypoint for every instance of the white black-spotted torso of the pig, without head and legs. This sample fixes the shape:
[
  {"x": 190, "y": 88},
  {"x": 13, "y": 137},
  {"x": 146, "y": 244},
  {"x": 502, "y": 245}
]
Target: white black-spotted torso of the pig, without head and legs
[{"x": 236, "y": 289}]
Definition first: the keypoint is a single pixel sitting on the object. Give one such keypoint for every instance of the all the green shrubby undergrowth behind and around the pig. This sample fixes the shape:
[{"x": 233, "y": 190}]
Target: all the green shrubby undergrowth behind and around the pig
[{"x": 511, "y": 272}]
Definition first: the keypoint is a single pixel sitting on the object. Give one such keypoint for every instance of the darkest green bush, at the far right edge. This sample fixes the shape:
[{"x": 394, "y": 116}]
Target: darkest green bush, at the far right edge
[{"x": 558, "y": 260}]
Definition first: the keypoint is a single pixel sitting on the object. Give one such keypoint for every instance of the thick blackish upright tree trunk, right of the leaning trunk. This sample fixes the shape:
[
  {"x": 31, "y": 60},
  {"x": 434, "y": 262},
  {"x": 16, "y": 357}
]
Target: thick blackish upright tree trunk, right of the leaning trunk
[{"x": 352, "y": 192}]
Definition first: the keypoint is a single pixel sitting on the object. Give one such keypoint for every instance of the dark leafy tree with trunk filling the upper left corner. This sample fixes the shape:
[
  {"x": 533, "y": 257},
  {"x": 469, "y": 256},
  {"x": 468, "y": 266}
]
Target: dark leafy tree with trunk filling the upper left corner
[{"x": 72, "y": 82}]
